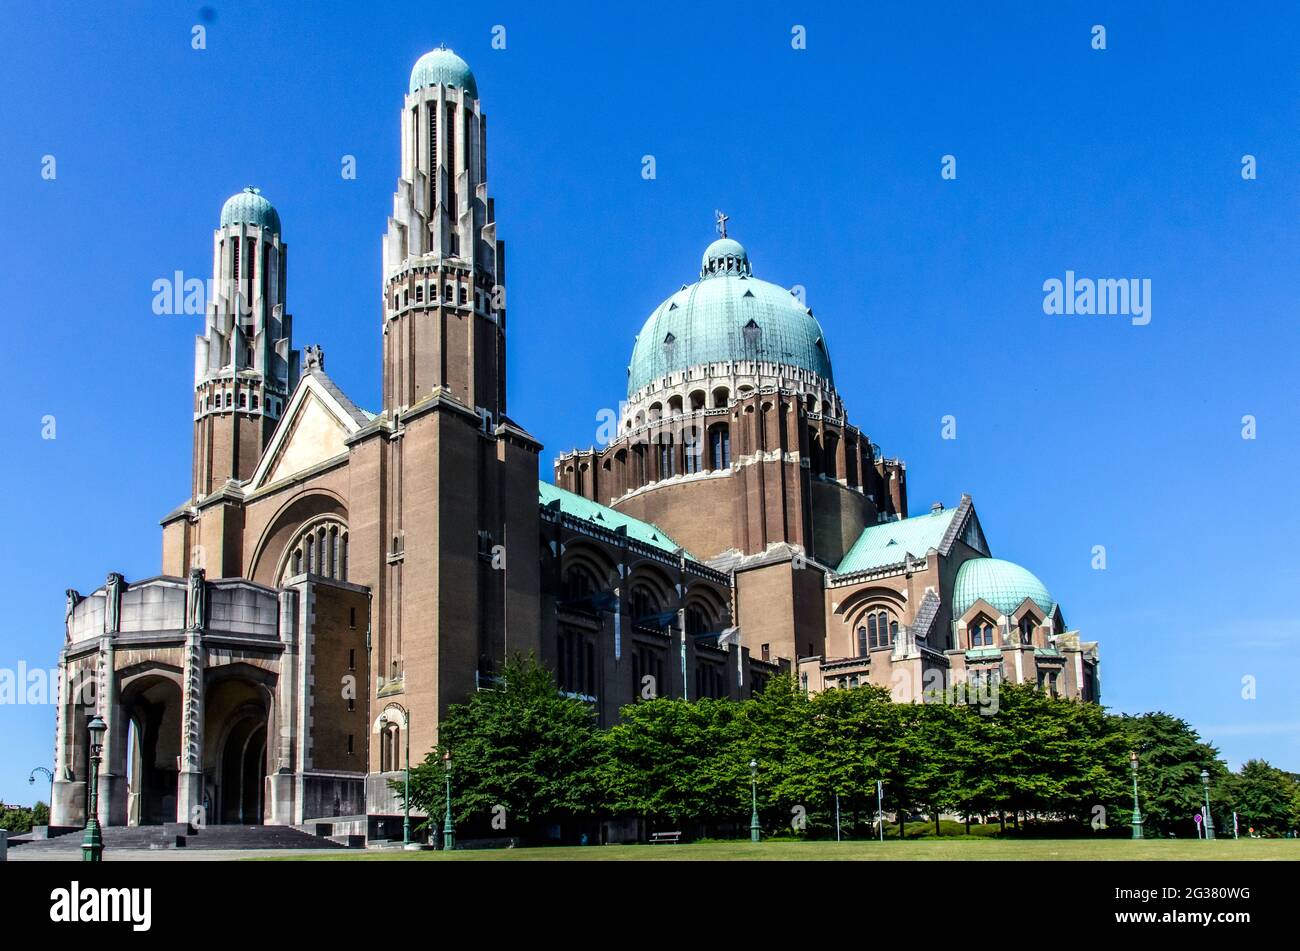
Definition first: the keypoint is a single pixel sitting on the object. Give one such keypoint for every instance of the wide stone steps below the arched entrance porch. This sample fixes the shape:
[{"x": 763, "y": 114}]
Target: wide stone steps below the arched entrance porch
[{"x": 149, "y": 837}]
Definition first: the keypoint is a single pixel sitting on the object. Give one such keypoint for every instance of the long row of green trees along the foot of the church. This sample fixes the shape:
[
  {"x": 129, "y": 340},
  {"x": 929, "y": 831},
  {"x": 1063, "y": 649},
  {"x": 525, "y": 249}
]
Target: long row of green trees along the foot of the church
[{"x": 527, "y": 761}]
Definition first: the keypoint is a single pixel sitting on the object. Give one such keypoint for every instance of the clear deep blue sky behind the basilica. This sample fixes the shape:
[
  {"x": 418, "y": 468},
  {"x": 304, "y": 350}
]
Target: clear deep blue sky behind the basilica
[{"x": 1073, "y": 432}]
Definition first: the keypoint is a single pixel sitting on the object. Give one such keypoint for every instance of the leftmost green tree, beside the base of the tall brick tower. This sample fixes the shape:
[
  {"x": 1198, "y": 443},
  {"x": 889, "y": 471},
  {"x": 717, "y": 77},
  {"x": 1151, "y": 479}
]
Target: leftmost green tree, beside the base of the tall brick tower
[{"x": 522, "y": 754}]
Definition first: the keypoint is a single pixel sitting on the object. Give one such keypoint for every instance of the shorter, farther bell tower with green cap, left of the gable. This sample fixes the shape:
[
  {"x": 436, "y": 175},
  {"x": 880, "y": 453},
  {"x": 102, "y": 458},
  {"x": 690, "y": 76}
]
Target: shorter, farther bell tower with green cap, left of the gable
[{"x": 245, "y": 367}]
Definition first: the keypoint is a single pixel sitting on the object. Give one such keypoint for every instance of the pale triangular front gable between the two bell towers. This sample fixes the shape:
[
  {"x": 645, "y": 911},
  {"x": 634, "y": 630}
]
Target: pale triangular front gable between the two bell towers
[{"x": 317, "y": 422}]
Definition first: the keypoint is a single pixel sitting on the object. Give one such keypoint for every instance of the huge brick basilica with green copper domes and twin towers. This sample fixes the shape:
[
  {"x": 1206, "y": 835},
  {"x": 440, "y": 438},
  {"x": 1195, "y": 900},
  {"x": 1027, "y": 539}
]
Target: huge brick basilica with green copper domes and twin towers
[{"x": 339, "y": 576}]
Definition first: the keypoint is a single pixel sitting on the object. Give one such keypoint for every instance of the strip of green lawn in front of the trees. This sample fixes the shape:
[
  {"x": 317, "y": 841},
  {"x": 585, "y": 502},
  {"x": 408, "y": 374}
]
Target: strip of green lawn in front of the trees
[{"x": 924, "y": 850}]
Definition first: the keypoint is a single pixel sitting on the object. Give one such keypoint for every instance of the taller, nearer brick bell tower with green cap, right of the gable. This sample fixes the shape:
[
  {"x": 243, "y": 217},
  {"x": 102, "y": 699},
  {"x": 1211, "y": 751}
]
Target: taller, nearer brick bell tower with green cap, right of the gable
[{"x": 444, "y": 506}]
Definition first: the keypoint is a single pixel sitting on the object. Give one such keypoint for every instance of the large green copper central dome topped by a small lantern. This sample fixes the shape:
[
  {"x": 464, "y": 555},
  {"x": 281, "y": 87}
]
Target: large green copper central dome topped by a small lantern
[{"x": 727, "y": 316}]
